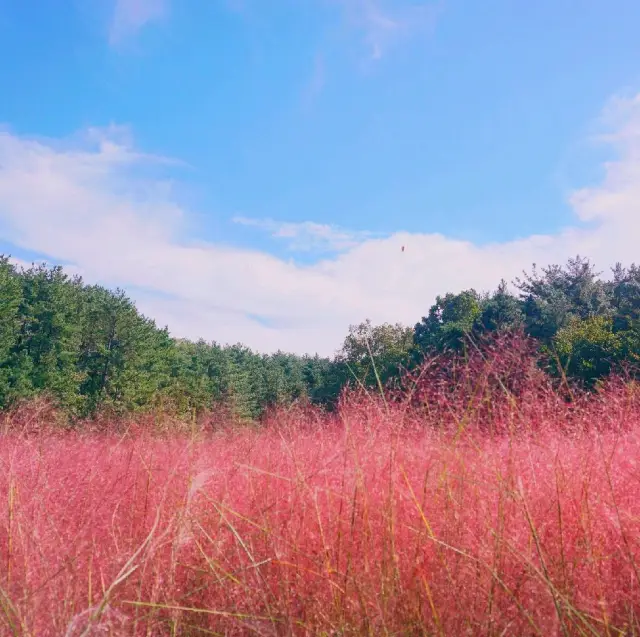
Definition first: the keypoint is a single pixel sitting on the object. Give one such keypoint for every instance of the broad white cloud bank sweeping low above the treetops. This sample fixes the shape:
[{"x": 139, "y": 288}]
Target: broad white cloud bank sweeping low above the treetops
[{"x": 97, "y": 205}]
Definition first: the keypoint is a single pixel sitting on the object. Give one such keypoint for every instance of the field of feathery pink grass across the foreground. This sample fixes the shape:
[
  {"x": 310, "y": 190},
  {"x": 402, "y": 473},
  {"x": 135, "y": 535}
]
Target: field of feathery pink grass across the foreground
[{"x": 371, "y": 522}]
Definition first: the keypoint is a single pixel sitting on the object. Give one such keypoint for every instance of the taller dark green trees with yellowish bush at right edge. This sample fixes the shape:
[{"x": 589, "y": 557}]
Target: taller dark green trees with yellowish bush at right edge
[{"x": 592, "y": 325}]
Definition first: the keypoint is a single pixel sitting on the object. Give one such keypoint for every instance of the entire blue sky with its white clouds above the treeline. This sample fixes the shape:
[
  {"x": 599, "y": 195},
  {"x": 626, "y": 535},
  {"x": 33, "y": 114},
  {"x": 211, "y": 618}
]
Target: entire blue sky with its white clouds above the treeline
[{"x": 248, "y": 170}]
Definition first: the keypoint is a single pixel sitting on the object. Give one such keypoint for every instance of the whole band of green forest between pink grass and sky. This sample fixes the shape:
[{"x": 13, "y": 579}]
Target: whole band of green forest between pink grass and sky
[{"x": 90, "y": 350}]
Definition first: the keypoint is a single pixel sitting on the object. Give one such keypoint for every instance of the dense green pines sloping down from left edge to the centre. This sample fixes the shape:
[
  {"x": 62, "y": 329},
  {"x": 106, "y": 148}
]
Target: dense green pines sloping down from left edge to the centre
[{"x": 91, "y": 350}]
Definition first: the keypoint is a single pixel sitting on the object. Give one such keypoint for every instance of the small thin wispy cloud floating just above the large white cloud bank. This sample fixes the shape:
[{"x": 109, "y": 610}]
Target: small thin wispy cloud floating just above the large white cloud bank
[{"x": 308, "y": 236}]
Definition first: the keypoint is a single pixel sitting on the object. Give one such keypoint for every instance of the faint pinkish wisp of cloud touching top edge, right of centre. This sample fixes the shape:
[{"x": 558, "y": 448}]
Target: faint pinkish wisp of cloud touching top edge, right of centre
[{"x": 385, "y": 23}]
